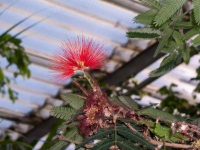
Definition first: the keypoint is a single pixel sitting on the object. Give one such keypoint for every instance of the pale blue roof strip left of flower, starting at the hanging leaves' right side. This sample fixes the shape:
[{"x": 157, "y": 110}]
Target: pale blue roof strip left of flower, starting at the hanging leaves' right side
[{"x": 34, "y": 85}]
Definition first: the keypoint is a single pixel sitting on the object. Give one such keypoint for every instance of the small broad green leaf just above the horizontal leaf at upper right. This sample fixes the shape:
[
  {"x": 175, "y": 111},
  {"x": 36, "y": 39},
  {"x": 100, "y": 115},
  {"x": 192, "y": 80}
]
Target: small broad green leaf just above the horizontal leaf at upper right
[{"x": 146, "y": 17}]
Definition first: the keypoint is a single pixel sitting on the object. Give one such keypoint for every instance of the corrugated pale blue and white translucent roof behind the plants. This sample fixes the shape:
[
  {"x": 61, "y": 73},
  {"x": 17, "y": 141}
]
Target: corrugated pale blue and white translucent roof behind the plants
[{"x": 58, "y": 20}]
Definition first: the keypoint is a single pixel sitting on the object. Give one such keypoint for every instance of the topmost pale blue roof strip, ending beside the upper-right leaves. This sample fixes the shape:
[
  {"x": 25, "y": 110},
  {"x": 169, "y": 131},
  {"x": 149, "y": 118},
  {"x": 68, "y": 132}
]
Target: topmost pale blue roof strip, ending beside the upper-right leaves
[{"x": 104, "y": 10}]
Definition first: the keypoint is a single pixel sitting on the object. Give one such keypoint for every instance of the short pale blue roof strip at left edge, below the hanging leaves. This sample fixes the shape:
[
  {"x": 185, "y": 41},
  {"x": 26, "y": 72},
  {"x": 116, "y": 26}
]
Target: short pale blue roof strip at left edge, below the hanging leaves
[{"x": 16, "y": 107}]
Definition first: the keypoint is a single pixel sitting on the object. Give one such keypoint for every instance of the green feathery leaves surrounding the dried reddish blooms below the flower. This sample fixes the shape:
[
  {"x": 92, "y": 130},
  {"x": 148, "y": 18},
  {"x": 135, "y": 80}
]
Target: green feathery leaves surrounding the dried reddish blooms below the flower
[{"x": 120, "y": 135}]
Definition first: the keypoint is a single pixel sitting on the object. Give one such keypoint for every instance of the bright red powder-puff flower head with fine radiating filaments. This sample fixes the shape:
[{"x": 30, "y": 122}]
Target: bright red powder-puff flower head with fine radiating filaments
[{"x": 78, "y": 55}]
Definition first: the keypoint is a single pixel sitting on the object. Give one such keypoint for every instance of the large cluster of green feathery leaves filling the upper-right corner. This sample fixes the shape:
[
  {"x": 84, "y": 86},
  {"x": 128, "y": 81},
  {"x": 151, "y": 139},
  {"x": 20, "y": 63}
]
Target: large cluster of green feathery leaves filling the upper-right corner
[{"x": 177, "y": 36}]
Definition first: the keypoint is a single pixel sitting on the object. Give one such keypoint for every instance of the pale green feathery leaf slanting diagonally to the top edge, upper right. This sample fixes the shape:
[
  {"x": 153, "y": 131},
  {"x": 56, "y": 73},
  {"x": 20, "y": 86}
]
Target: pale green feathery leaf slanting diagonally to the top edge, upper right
[{"x": 169, "y": 8}]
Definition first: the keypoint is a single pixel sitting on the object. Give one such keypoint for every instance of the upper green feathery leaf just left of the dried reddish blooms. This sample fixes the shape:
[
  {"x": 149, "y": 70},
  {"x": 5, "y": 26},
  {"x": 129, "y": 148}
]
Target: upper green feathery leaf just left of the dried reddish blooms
[{"x": 73, "y": 100}]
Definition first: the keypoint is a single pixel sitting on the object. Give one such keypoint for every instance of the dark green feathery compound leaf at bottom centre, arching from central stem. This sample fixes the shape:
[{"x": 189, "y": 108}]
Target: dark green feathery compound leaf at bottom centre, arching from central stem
[{"x": 125, "y": 138}]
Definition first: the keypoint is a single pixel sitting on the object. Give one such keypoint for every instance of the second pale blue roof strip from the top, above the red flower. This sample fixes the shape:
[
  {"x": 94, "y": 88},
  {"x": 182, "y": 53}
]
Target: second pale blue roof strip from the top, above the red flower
[{"x": 74, "y": 20}]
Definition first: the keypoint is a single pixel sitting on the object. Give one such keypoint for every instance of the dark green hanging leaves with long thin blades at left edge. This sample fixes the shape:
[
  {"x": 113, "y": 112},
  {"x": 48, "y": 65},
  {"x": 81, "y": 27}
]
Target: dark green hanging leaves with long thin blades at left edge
[{"x": 14, "y": 52}]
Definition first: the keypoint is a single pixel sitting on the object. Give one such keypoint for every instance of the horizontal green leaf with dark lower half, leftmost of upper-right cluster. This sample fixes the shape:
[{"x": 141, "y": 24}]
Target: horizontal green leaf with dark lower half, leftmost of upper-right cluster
[{"x": 144, "y": 33}]
